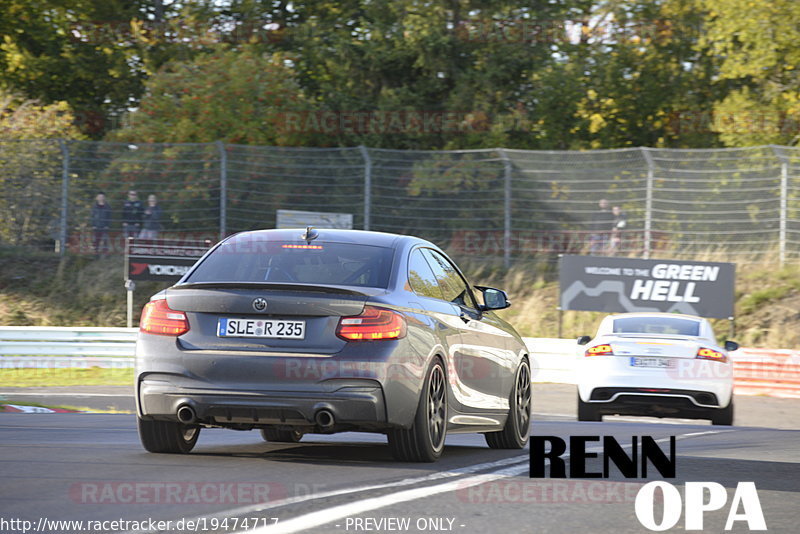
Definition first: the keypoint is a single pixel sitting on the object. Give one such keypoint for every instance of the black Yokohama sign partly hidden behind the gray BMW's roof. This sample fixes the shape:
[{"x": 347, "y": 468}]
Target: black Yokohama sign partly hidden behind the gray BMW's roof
[{"x": 162, "y": 260}]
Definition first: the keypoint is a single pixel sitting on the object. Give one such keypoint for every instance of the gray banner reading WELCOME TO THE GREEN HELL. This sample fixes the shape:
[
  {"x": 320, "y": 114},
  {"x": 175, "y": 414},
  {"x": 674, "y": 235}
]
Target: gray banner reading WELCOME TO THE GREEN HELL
[{"x": 613, "y": 285}]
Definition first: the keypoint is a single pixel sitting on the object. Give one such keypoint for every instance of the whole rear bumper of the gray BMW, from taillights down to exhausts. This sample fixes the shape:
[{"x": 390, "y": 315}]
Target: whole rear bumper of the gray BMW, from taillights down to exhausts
[{"x": 365, "y": 386}]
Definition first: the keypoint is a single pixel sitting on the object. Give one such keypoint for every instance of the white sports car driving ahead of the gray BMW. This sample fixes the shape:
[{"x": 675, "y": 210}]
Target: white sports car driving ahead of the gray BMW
[{"x": 658, "y": 365}]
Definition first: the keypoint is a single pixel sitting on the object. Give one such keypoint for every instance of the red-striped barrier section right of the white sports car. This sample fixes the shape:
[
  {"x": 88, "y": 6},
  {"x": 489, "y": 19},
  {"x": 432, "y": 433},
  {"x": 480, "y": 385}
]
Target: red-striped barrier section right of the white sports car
[{"x": 775, "y": 373}]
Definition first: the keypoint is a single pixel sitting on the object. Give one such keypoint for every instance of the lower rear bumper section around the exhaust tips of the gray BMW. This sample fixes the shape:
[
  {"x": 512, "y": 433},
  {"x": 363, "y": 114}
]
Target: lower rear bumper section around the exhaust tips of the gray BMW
[{"x": 353, "y": 404}]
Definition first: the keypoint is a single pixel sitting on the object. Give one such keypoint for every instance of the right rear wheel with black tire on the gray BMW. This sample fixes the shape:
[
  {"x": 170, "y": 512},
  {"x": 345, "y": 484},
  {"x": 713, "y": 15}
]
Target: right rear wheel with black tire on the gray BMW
[{"x": 424, "y": 441}]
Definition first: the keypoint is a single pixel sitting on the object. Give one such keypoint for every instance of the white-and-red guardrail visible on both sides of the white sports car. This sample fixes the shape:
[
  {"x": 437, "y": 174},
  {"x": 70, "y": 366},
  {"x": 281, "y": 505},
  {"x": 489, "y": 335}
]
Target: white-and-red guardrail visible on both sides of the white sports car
[{"x": 775, "y": 373}]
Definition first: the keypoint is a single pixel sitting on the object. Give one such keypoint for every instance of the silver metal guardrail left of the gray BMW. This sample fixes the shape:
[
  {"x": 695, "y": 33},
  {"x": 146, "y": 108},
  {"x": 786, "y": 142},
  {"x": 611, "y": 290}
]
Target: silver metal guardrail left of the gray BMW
[{"x": 57, "y": 347}]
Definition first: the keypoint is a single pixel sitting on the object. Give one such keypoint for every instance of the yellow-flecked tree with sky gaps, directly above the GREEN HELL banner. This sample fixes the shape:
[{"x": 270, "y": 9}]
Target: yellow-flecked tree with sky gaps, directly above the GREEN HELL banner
[{"x": 645, "y": 78}]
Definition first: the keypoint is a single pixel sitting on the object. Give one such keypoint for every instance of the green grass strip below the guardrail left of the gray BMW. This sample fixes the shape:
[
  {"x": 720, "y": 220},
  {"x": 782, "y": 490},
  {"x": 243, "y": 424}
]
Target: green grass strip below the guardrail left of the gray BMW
[{"x": 94, "y": 376}]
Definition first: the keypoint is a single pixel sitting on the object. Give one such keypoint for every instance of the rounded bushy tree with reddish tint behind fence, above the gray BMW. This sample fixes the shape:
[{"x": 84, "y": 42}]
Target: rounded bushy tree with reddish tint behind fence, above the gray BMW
[{"x": 236, "y": 96}]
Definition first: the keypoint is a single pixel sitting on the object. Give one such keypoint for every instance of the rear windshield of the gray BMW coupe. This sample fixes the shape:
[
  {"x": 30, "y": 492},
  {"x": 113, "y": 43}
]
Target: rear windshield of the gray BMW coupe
[{"x": 292, "y": 262}]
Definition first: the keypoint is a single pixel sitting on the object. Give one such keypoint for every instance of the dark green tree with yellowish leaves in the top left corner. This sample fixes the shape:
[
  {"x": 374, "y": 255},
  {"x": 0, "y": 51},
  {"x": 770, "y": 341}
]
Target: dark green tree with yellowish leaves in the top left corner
[{"x": 80, "y": 52}]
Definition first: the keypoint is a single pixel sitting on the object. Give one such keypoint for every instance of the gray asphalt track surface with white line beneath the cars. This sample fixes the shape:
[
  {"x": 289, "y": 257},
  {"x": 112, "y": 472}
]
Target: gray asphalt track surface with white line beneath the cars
[{"x": 92, "y": 467}]
